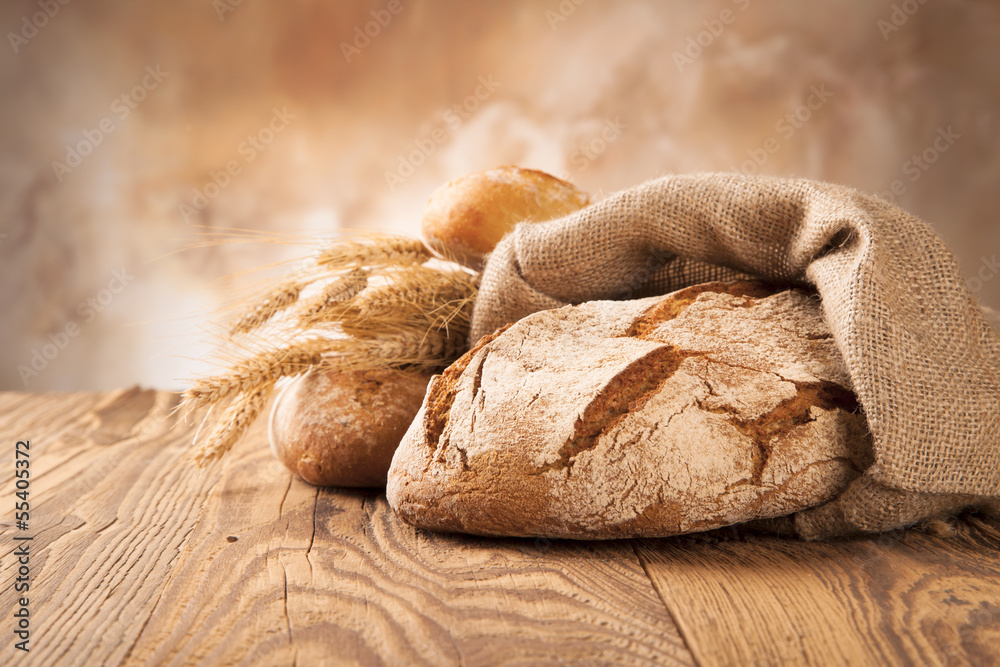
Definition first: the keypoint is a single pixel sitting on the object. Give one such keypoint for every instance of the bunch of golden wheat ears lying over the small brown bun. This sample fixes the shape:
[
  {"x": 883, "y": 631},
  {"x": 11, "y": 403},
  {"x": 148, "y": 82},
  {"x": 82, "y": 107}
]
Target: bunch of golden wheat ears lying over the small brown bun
[{"x": 414, "y": 316}]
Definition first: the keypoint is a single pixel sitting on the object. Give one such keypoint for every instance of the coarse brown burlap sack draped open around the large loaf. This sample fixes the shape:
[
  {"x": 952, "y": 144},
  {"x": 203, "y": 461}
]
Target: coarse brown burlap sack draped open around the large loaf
[{"x": 924, "y": 361}]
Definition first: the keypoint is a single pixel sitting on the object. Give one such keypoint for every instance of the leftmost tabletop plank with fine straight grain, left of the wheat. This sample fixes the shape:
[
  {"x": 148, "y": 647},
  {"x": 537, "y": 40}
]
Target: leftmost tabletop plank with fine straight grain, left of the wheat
[{"x": 104, "y": 512}]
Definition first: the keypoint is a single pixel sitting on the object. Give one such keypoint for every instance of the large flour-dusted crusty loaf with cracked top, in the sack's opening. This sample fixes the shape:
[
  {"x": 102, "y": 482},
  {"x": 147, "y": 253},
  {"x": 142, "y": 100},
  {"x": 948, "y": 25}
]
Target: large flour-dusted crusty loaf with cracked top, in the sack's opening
[{"x": 714, "y": 405}]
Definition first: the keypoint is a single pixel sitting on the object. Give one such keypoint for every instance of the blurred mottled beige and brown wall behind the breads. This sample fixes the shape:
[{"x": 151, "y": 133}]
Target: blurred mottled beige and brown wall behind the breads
[{"x": 126, "y": 126}]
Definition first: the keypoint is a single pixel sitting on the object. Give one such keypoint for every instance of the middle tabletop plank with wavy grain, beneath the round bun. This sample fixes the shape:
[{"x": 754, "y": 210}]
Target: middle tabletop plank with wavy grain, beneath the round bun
[{"x": 333, "y": 577}]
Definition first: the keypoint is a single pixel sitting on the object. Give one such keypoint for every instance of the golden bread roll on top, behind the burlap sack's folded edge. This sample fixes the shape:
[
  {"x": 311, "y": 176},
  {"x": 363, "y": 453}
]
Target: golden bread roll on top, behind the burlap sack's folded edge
[{"x": 465, "y": 218}]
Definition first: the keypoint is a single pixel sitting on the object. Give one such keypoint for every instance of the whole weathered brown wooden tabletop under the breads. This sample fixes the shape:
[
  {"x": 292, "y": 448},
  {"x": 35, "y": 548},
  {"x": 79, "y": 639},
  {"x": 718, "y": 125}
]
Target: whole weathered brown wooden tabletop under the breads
[{"x": 138, "y": 557}]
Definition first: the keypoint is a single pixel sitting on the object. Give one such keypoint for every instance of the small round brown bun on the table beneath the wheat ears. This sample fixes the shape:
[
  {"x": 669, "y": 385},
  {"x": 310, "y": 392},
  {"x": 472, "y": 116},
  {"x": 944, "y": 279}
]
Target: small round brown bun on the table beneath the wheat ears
[{"x": 336, "y": 428}]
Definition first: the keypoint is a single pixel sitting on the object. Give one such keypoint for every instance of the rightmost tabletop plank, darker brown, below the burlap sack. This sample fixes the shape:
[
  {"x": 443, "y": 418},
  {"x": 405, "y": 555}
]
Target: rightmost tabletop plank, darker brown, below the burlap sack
[{"x": 901, "y": 598}]
